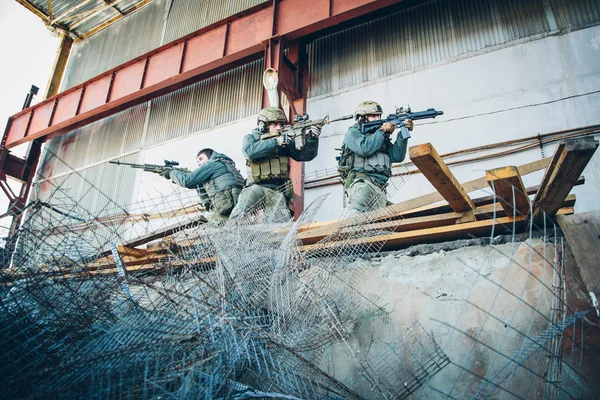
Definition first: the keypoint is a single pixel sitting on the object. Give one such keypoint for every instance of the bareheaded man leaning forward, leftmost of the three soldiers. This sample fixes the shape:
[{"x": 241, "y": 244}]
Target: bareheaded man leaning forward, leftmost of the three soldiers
[{"x": 217, "y": 180}]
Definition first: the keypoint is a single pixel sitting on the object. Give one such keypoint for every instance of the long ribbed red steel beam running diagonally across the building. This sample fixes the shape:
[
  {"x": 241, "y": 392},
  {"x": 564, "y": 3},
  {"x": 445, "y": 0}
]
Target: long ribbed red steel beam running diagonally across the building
[{"x": 179, "y": 64}]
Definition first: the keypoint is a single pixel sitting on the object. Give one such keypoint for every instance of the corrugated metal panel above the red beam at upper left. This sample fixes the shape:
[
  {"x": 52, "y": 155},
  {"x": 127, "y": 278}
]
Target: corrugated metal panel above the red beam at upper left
[{"x": 142, "y": 31}]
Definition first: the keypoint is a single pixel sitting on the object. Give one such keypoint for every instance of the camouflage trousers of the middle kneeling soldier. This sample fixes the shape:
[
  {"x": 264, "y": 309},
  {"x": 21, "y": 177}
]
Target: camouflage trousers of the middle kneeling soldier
[{"x": 259, "y": 197}]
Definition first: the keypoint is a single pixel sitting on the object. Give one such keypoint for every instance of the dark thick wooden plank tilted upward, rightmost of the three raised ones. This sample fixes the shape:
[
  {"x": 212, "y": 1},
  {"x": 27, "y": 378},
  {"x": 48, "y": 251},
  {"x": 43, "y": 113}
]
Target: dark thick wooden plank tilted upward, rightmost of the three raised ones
[{"x": 568, "y": 163}]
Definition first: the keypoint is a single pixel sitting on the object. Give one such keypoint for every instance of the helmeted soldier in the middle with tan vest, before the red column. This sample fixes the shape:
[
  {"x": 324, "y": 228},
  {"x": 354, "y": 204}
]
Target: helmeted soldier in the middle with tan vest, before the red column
[{"x": 268, "y": 167}]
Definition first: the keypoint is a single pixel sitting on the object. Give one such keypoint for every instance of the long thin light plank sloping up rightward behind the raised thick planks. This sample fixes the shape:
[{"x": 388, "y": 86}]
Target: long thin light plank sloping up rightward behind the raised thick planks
[{"x": 395, "y": 209}]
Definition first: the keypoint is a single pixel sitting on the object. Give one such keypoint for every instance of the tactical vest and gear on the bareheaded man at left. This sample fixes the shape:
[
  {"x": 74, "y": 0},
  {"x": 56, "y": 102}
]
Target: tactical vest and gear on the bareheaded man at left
[{"x": 224, "y": 190}]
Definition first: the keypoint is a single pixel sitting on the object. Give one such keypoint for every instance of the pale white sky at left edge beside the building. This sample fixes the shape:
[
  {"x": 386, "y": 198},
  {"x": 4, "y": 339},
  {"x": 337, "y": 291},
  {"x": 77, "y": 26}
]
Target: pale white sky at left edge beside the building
[{"x": 28, "y": 51}]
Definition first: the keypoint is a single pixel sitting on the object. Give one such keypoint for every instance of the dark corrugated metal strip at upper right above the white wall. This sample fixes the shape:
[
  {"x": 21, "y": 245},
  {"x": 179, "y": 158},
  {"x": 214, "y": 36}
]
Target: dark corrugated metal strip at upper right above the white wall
[{"x": 434, "y": 32}]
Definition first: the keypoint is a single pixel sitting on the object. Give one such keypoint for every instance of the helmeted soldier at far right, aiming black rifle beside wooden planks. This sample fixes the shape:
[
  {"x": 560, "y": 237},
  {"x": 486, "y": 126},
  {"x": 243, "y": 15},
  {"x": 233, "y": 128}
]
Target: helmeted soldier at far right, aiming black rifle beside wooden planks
[{"x": 367, "y": 159}]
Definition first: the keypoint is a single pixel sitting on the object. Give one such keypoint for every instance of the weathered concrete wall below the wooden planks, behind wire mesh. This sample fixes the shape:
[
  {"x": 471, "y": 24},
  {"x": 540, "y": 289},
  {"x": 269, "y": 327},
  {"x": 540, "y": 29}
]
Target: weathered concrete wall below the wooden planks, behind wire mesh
[{"x": 478, "y": 303}]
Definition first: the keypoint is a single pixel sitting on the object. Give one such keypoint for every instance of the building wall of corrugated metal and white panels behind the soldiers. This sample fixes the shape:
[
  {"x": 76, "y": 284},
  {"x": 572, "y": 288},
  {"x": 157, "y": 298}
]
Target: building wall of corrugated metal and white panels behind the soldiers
[{"x": 501, "y": 70}]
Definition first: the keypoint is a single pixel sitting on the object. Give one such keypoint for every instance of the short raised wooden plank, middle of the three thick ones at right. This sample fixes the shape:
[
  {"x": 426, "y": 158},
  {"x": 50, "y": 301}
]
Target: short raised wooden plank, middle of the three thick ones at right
[{"x": 508, "y": 186}]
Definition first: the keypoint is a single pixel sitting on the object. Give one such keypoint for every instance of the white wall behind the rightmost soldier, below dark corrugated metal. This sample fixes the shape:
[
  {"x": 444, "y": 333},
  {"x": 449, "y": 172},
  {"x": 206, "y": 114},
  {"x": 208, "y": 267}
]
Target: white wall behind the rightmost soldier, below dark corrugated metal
[{"x": 494, "y": 96}]
